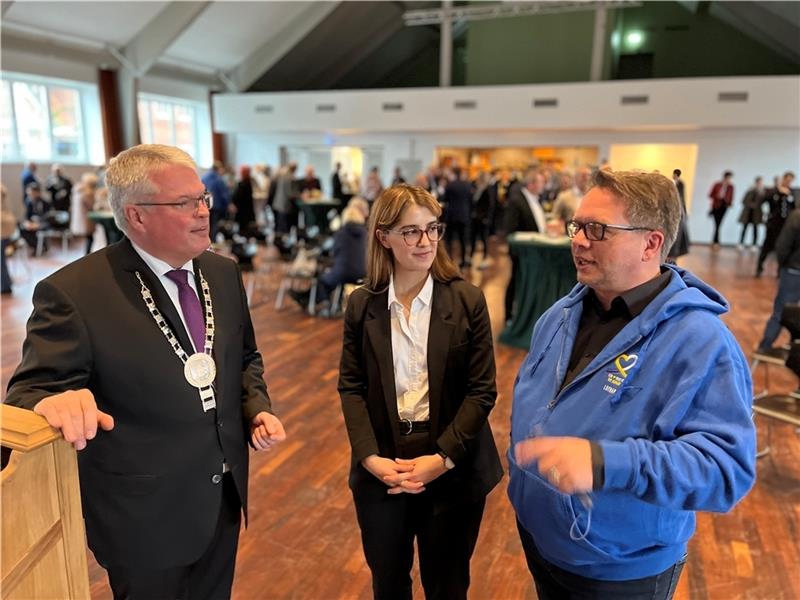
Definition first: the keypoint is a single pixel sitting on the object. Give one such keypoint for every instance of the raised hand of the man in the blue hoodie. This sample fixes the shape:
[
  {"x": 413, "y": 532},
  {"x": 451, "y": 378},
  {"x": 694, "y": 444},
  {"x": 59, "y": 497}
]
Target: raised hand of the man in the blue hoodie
[{"x": 565, "y": 461}]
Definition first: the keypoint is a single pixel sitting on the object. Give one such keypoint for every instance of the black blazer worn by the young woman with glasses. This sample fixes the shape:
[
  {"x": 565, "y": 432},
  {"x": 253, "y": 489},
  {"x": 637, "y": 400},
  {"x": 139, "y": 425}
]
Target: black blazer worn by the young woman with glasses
[{"x": 462, "y": 392}]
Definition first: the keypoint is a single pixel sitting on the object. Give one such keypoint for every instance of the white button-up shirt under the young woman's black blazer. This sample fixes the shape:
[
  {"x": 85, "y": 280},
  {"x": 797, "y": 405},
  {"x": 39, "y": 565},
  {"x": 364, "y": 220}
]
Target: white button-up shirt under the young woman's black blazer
[{"x": 410, "y": 352}]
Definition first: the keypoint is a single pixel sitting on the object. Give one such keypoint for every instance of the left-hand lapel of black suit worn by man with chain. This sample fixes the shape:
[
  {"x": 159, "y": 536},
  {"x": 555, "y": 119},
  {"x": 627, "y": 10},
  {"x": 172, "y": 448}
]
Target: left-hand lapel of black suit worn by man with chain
[{"x": 130, "y": 263}]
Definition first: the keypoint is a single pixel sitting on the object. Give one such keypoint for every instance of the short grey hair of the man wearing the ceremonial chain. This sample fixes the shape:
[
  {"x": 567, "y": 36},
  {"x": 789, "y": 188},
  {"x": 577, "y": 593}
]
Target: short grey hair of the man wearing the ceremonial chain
[{"x": 128, "y": 175}]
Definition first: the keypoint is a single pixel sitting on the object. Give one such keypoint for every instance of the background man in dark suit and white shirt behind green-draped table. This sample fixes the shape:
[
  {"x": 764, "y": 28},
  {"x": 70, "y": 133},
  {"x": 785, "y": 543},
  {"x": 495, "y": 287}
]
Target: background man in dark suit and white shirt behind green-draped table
[{"x": 523, "y": 212}]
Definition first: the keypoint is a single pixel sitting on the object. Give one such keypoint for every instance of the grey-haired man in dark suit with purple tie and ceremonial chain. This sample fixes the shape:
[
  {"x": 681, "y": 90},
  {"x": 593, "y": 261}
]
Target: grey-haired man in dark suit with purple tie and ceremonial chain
[{"x": 144, "y": 355}]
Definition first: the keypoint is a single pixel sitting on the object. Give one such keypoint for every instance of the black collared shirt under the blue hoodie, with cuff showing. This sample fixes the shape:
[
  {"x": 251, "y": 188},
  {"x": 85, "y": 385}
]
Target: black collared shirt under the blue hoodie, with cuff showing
[{"x": 597, "y": 328}]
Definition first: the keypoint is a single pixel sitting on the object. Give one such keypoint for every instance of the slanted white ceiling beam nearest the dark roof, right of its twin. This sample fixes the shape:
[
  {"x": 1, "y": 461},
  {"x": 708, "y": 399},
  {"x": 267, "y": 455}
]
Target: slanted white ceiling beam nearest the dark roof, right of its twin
[{"x": 266, "y": 56}]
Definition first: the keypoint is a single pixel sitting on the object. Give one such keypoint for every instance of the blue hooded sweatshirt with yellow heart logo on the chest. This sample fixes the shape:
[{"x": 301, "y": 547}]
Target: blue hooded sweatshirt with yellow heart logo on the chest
[{"x": 669, "y": 401}]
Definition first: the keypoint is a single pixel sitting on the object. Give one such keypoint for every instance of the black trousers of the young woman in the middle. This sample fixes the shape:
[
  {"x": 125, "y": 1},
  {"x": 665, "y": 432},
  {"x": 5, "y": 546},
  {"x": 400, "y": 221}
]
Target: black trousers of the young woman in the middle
[{"x": 446, "y": 541}]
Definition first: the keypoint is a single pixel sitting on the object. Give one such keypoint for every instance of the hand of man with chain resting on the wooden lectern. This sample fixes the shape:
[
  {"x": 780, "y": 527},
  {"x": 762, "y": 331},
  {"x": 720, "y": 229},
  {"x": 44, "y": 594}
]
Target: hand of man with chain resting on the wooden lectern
[{"x": 75, "y": 413}]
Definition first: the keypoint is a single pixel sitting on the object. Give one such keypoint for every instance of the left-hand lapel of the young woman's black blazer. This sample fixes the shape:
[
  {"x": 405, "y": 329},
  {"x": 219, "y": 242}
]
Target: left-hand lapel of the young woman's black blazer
[{"x": 378, "y": 326}]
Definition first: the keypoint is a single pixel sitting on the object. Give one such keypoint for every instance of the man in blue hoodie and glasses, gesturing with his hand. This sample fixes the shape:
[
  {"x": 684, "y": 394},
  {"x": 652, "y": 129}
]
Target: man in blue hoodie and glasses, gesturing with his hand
[{"x": 632, "y": 409}]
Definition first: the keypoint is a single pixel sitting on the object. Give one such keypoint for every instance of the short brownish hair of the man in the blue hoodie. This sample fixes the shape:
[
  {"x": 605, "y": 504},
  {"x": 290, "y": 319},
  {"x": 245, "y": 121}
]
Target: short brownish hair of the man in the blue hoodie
[{"x": 651, "y": 200}]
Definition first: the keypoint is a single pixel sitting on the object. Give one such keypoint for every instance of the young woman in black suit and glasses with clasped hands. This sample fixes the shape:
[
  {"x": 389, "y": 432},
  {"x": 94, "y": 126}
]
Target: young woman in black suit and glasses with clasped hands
[{"x": 417, "y": 383}]
